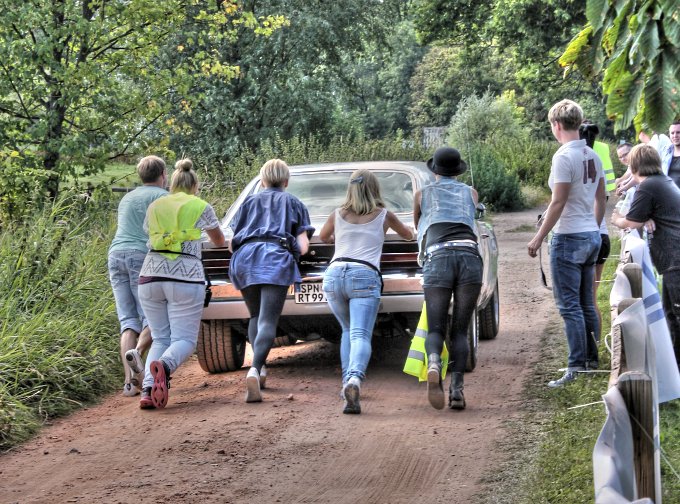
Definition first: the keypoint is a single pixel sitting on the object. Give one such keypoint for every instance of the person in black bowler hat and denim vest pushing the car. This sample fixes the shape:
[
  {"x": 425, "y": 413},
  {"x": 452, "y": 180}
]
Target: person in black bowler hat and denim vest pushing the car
[{"x": 444, "y": 213}]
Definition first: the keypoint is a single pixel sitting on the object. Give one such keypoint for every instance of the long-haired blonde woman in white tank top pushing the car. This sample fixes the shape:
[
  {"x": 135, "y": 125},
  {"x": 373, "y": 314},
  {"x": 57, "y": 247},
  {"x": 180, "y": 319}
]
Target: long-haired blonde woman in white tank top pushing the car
[{"x": 352, "y": 282}]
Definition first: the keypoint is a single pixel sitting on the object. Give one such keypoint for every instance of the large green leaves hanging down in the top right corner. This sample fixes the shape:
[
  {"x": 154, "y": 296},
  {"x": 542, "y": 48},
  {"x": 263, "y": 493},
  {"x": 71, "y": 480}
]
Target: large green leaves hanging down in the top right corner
[{"x": 634, "y": 46}]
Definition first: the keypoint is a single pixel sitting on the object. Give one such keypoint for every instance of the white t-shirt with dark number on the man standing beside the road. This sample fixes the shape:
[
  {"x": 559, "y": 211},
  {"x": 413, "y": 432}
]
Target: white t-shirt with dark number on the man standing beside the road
[{"x": 577, "y": 164}]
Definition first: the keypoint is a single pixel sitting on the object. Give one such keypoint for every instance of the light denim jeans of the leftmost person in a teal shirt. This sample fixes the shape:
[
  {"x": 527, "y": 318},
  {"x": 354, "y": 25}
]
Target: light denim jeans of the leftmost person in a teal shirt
[{"x": 124, "y": 267}]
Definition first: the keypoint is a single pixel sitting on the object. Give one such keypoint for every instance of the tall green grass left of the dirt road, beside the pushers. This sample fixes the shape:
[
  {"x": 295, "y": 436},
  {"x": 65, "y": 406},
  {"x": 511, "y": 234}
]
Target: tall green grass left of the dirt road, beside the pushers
[{"x": 58, "y": 337}]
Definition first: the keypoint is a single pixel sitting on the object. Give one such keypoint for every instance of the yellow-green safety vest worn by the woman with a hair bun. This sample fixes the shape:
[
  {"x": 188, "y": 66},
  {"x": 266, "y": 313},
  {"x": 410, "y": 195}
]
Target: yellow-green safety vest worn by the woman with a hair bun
[{"x": 172, "y": 220}]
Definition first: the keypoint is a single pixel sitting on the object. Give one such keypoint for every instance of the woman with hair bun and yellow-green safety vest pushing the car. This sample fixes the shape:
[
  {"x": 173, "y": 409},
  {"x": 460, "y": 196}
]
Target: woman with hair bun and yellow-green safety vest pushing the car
[{"x": 172, "y": 281}]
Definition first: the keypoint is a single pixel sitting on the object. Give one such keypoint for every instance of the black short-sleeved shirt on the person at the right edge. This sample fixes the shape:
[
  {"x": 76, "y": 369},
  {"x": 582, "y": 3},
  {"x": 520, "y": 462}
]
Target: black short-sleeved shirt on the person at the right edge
[{"x": 658, "y": 198}]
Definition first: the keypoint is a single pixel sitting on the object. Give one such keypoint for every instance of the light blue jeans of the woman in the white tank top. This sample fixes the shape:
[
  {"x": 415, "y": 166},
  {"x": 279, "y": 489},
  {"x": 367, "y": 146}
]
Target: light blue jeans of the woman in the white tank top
[{"x": 353, "y": 293}]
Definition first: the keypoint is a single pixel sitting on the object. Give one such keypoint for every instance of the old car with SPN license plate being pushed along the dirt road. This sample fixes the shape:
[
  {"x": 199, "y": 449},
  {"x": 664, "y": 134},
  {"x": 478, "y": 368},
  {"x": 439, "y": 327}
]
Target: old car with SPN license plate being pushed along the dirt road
[{"x": 306, "y": 314}]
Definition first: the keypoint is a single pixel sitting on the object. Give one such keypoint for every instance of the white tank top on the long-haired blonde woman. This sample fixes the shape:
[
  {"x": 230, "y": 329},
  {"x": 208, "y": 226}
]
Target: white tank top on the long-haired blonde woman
[{"x": 360, "y": 241}]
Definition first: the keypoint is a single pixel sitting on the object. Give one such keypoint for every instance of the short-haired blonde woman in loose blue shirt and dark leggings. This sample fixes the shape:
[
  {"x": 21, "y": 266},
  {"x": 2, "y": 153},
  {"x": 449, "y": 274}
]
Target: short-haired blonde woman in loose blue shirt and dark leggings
[{"x": 271, "y": 231}]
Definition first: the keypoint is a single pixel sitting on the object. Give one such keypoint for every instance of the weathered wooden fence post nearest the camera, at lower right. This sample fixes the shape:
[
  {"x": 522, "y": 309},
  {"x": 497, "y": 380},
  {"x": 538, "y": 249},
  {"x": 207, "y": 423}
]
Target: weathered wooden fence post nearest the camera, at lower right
[{"x": 636, "y": 390}]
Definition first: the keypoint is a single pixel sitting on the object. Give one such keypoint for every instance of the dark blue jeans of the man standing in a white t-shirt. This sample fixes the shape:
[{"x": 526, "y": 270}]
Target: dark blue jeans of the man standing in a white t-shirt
[{"x": 572, "y": 264}]
